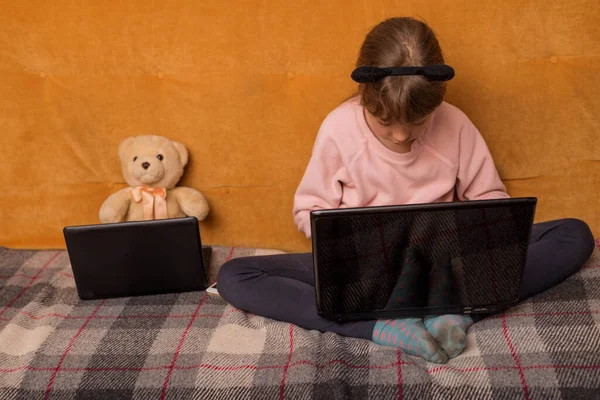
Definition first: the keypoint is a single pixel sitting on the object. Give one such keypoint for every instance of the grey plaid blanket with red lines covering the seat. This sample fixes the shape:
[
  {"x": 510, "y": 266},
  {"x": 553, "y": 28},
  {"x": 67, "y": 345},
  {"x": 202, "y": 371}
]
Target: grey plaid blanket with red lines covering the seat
[{"x": 54, "y": 346}]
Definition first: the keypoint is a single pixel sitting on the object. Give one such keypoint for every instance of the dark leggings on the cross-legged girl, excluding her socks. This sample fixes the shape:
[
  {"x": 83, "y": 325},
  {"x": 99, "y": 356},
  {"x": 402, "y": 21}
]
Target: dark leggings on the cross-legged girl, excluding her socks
[{"x": 282, "y": 287}]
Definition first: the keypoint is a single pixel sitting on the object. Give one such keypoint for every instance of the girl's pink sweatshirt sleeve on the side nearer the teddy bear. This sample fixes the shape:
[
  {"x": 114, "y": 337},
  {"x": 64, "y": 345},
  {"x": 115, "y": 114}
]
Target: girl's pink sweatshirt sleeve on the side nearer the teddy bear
[{"x": 321, "y": 184}]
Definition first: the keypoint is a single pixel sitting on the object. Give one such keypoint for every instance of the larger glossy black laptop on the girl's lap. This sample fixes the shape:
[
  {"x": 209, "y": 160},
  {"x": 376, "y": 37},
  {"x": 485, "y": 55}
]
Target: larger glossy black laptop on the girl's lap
[{"x": 424, "y": 259}]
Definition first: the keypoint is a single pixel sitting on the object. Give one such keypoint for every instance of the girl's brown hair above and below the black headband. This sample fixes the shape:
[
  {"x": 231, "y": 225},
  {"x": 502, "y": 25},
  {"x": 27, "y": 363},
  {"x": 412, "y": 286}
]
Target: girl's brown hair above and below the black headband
[{"x": 401, "y": 42}]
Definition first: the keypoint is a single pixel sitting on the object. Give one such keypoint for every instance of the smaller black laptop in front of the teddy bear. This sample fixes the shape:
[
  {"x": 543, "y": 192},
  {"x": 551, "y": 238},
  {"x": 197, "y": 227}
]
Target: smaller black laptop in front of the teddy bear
[{"x": 137, "y": 258}]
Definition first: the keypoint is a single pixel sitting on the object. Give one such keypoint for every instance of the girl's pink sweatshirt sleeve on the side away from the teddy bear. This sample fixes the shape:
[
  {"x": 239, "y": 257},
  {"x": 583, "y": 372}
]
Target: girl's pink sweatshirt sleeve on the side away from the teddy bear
[{"x": 478, "y": 178}]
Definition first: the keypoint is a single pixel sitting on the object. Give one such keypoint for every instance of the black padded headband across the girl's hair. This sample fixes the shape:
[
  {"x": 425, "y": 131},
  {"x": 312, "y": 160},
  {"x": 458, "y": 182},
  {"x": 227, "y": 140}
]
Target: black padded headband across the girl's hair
[{"x": 436, "y": 72}]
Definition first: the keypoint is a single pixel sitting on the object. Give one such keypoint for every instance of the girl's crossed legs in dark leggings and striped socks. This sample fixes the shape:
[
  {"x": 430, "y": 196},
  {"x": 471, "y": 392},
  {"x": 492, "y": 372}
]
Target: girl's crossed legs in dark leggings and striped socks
[{"x": 281, "y": 287}]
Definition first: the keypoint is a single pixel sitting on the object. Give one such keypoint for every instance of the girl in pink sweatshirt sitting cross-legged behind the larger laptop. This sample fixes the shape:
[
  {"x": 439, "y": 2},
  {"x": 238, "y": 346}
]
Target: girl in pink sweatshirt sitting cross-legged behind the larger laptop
[{"x": 397, "y": 142}]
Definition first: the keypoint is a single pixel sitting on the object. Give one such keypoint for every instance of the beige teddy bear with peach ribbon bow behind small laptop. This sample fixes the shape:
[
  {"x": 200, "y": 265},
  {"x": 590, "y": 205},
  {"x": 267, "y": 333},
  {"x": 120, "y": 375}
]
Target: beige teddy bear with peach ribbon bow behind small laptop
[{"x": 152, "y": 166}]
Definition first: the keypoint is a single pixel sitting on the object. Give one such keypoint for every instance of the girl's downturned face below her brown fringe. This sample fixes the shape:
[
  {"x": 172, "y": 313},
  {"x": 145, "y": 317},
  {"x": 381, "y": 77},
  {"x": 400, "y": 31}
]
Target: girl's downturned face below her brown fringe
[{"x": 397, "y": 137}]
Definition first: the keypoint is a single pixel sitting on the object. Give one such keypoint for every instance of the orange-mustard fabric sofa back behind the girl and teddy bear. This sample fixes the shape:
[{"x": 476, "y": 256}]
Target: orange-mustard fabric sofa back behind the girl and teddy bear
[{"x": 246, "y": 84}]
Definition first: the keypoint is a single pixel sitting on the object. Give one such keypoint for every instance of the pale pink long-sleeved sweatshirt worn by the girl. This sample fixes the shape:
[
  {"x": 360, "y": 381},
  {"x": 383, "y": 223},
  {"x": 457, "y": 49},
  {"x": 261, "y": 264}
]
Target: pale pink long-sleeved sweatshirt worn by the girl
[{"x": 350, "y": 167}]
